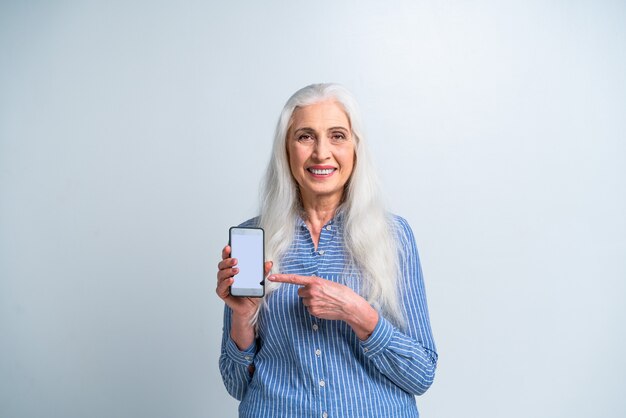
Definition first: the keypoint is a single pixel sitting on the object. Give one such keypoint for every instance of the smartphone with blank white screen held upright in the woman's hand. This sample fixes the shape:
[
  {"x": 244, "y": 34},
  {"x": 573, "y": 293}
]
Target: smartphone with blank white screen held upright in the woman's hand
[{"x": 247, "y": 245}]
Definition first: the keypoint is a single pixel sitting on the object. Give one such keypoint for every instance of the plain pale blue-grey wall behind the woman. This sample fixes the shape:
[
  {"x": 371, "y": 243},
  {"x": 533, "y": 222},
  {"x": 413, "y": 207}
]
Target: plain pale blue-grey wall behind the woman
[{"x": 133, "y": 134}]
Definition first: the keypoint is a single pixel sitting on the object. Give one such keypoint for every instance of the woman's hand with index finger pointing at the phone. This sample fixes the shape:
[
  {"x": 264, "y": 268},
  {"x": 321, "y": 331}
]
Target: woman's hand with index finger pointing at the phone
[{"x": 325, "y": 299}]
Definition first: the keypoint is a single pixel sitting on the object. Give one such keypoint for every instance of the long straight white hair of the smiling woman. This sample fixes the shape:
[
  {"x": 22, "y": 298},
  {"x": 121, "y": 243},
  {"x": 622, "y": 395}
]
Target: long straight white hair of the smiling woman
[{"x": 368, "y": 234}]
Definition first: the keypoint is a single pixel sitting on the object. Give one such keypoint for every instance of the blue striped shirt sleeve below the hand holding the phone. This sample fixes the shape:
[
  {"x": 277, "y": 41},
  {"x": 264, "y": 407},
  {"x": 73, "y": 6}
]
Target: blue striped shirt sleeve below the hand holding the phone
[{"x": 236, "y": 366}]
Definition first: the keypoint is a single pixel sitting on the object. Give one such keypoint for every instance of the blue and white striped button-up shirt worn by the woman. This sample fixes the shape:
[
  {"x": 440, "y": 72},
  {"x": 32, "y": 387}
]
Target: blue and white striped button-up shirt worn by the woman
[{"x": 304, "y": 366}]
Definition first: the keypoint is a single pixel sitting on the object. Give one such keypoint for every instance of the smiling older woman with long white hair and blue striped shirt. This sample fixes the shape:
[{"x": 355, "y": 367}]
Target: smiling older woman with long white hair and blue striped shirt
[{"x": 343, "y": 330}]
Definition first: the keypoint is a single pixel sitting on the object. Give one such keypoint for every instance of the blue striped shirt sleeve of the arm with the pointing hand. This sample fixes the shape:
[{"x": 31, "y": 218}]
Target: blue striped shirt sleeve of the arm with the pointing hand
[{"x": 407, "y": 357}]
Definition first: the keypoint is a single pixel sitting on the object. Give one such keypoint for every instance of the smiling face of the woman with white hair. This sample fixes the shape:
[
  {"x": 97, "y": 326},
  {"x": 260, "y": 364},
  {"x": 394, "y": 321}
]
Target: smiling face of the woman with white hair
[{"x": 320, "y": 148}]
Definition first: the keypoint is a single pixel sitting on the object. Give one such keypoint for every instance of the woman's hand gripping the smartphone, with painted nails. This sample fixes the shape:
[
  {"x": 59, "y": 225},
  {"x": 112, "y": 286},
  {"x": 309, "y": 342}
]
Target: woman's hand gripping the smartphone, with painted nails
[{"x": 227, "y": 269}]
